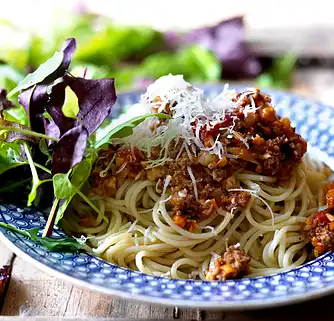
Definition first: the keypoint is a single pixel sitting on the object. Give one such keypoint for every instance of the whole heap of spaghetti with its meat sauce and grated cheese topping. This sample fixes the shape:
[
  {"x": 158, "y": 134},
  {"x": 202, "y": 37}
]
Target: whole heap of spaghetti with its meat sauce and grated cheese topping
[{"x": 209, "y": 194}]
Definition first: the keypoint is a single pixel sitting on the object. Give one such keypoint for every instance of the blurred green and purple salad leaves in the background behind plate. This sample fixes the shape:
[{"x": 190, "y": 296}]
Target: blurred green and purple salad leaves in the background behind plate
[{"x": 136, "y": 55}]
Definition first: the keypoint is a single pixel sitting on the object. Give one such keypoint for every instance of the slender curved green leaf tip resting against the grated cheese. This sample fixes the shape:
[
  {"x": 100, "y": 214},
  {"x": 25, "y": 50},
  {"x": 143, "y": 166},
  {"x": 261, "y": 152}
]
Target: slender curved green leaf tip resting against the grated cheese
[{"x": 126, "y": 129}]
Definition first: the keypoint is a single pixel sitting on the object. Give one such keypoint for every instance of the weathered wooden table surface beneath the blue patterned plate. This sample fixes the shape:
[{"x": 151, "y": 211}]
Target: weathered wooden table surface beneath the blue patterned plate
[{"x": 34, "y": 293}]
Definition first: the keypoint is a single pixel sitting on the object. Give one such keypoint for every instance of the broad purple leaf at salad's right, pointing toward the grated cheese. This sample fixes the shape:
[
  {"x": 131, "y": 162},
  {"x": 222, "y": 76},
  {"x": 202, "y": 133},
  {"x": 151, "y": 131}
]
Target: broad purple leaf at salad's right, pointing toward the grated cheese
[{"x": 95, "y": 98}]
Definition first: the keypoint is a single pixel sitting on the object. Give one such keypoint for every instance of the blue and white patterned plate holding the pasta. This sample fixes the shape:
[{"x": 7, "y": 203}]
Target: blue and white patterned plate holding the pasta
[{"x": 314, "y": 121}]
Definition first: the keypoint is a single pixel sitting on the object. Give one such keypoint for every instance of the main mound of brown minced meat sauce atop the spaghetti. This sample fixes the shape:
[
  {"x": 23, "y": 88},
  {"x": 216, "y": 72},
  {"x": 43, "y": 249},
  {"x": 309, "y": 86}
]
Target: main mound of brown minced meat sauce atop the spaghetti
[{"x": 259, "y": 141}]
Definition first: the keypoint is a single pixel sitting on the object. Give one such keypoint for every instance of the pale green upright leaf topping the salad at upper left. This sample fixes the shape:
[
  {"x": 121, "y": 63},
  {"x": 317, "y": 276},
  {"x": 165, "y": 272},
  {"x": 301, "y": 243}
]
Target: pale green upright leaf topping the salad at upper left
[{"x": 44, "y": 70}]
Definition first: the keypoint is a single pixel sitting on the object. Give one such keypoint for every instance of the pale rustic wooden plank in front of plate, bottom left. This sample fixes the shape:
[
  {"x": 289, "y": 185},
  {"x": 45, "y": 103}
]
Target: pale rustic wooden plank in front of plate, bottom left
[{"x": 32, "y": 292}]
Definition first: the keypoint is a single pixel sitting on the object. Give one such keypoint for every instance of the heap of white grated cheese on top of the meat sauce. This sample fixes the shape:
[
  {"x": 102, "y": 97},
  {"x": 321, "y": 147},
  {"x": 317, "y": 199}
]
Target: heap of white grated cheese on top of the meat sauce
[{"x": 191, "y": 113}]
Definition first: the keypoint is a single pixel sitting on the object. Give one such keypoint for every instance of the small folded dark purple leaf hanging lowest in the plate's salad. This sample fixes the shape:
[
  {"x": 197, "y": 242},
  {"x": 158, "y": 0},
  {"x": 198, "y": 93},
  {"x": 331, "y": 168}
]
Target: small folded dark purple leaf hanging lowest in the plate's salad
[{"x": 69, "y": 150}]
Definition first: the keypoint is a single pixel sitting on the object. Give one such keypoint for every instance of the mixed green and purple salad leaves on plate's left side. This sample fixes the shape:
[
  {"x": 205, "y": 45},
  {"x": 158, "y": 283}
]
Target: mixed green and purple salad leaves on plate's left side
[{"x": 58, "y": 148}]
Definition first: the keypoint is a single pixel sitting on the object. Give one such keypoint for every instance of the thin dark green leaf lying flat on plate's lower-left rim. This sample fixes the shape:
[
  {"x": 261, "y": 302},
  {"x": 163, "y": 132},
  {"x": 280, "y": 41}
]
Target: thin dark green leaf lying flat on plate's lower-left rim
[{"x": 52, "y": 244}]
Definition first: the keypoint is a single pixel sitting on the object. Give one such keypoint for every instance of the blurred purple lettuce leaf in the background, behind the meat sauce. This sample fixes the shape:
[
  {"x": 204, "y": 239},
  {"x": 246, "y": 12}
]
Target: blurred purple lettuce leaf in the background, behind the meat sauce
[{"x": 227, "y": 41}]
